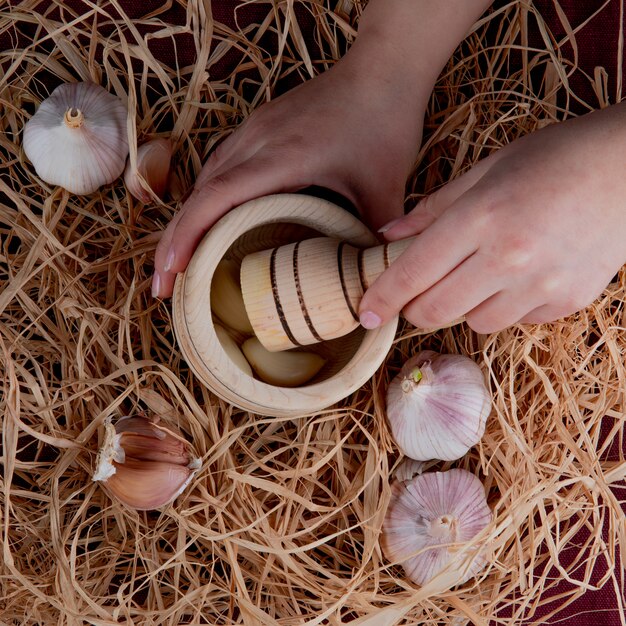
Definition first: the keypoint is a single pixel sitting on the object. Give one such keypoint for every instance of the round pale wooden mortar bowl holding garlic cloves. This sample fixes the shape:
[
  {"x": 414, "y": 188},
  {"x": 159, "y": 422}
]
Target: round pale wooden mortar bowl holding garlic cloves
[{"x": 257, "y": 225}]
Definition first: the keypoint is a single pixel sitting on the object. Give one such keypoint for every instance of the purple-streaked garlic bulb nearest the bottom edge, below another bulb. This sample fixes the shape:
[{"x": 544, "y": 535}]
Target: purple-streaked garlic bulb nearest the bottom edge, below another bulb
[{"x": 430, "y": 523}]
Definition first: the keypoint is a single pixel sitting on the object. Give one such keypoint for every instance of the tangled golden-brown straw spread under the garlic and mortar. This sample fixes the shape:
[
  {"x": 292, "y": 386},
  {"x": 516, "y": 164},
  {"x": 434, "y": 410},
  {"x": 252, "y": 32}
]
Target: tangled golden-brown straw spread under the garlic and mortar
[{"x": 281, "y": 524}]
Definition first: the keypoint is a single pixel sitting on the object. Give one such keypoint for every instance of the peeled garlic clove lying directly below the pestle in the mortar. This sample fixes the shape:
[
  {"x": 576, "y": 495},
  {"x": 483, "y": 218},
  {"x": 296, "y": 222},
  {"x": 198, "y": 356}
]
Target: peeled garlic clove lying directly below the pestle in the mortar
[{"x": 284, "y": 369}]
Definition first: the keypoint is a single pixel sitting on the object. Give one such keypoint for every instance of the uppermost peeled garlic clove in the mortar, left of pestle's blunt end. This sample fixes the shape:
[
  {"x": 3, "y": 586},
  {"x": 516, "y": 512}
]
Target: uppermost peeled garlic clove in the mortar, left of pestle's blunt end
[{"x": 226, "y": 299}]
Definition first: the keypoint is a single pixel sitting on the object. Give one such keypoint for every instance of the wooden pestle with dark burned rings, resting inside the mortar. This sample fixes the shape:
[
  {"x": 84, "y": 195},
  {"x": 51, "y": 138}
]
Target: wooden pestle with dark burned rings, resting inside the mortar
[{"x": 306, "y": 292}]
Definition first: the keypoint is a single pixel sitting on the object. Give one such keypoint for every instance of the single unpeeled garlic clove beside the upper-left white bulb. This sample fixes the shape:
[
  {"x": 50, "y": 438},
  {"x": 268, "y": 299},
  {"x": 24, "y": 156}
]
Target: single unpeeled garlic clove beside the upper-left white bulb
[{"x": 153, "y": 165}]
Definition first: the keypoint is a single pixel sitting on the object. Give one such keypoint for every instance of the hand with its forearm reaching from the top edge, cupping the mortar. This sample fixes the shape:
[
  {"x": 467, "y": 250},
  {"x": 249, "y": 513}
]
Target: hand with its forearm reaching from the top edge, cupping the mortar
[{"x": 356, "y": 129}]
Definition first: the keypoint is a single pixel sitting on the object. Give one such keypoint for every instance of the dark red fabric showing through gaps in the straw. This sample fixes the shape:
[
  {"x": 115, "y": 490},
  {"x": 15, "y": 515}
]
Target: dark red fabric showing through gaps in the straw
[{"x": 597, "y": 46}]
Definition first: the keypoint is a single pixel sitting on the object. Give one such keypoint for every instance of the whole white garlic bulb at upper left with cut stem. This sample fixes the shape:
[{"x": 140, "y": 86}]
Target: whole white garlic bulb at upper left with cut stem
[{"x": 77, "y": 138}]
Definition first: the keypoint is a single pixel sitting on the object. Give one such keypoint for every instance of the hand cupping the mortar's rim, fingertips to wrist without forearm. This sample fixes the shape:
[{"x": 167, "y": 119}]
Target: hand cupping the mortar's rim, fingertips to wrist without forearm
[{"x": 344, "y": 130}]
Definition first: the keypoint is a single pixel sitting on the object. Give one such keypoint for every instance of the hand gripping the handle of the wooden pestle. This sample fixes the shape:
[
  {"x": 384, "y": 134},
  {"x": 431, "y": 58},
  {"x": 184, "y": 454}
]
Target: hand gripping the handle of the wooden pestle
[{"x": 531, "y": 234}]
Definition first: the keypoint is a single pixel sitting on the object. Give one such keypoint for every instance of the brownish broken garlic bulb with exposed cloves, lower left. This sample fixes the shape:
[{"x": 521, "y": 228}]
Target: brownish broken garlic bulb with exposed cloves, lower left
[{"x": 143, "y": 464}]
